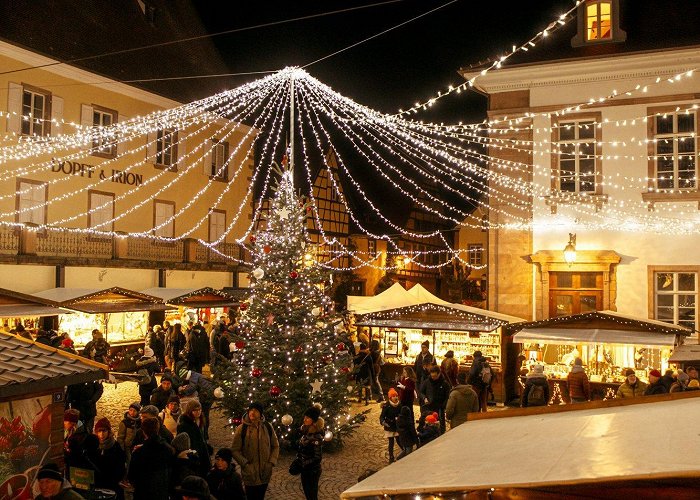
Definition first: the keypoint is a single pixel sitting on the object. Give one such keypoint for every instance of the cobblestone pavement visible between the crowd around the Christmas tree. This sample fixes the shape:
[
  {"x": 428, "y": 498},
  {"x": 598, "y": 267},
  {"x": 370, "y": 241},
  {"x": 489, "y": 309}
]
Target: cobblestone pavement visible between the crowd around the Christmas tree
[{"x": 365, "y": 449}]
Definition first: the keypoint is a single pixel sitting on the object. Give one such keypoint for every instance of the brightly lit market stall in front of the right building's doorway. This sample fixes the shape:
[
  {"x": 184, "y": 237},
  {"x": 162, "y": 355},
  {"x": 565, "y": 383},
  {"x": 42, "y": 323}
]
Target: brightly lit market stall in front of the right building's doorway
[{"x": 608, "y": 342}]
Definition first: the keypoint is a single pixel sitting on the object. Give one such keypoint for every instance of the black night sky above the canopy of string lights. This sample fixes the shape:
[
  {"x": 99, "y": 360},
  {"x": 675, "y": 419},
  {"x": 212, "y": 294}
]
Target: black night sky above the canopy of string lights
[{"x": 392, "y": 71}]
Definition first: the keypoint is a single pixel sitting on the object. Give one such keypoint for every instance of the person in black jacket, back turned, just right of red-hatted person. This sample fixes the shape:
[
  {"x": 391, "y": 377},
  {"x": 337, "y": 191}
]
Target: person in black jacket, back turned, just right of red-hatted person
[{"x": 151, "y": 465}]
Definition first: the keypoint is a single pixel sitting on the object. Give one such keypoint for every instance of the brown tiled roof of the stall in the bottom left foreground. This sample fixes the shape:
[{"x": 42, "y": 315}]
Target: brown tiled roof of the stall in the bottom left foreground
[{"x": 27, "y": 367}]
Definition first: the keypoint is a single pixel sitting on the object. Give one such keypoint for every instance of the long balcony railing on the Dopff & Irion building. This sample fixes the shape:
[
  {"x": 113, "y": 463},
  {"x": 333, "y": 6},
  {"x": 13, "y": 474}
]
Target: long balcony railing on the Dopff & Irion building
[{"x": 27, "y": 240}]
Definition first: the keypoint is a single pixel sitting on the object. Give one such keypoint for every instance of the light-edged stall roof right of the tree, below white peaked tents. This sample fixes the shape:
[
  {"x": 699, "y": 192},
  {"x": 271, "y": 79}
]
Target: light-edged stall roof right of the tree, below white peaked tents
[{"x": 431, "y": 316}]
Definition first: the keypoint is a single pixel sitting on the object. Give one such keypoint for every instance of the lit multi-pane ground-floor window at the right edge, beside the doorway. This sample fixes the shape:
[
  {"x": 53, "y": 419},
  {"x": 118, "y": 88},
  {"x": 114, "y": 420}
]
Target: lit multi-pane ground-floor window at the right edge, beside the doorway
[{"x": 676, "y": 297}]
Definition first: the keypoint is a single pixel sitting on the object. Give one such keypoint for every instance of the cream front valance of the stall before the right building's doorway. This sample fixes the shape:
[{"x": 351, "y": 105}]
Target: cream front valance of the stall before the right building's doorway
[{"x": 593, "y": 336}]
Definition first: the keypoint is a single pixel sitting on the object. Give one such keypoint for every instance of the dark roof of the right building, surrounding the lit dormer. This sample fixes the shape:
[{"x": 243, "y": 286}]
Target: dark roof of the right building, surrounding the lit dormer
[{"x": 650, "y": 25}]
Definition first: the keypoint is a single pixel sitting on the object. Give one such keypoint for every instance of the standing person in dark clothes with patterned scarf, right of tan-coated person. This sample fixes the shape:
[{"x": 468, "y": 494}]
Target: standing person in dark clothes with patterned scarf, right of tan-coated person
[{"x": 310, "y": 451}]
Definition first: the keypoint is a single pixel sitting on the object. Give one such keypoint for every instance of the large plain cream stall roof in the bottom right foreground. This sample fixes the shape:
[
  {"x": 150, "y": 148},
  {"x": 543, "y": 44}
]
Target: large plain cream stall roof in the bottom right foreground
[{"x": 565, "y": 448}]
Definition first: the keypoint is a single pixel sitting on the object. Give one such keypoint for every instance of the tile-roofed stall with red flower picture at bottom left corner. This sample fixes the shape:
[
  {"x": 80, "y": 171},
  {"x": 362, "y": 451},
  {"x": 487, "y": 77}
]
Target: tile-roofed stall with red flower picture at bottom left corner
[{"x": 32, "y": 381}]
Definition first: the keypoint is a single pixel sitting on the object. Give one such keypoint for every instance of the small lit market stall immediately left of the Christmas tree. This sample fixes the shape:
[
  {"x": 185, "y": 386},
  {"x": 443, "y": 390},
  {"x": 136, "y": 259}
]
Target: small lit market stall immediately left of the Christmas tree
[{"x": 191, "y": 304}]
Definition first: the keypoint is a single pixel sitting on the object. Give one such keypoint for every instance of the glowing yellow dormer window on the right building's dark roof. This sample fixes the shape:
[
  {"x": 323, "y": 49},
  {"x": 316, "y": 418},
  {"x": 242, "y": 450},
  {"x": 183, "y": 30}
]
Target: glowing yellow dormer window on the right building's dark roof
[{"x": 598, "y": 22}]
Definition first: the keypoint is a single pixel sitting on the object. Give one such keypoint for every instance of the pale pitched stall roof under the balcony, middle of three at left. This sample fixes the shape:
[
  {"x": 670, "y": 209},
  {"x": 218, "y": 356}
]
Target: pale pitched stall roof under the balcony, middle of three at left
[{"x": 109, "y": 300}]
